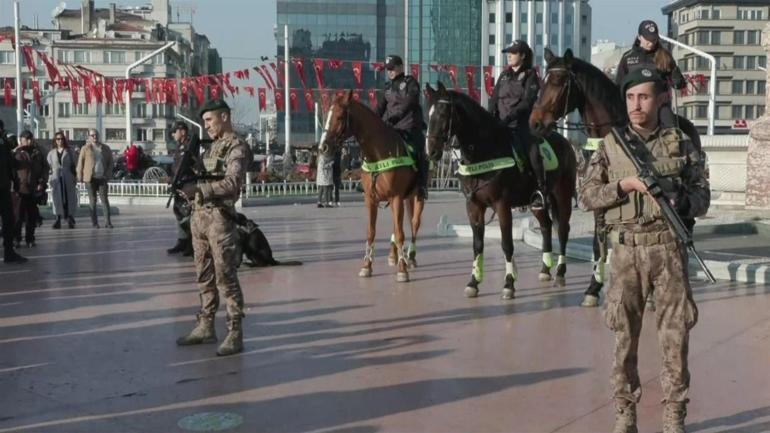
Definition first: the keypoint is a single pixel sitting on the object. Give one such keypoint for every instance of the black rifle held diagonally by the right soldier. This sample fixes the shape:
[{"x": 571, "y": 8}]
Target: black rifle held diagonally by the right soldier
[{"x": 647, "y": 177}]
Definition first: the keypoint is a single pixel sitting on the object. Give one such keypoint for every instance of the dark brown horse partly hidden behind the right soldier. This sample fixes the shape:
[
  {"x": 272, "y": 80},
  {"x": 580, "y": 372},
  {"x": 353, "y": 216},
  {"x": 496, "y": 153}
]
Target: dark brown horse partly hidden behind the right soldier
[{"x": 573, "y": 84}]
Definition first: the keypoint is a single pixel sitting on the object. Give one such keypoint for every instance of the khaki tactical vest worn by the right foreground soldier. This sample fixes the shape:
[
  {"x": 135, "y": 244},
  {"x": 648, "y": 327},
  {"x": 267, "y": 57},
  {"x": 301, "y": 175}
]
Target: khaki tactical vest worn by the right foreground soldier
[{"x": 640, "y": 208}]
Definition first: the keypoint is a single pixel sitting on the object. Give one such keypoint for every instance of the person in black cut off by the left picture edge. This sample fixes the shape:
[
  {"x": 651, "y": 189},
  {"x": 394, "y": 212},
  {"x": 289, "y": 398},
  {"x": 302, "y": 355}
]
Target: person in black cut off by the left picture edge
[{"x": 7, "y": 180}]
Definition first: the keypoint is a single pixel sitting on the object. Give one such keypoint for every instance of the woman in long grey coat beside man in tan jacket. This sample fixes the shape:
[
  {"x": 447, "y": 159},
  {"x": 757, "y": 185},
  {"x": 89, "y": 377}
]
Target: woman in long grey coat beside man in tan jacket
[{"x": 63, "y": 177}]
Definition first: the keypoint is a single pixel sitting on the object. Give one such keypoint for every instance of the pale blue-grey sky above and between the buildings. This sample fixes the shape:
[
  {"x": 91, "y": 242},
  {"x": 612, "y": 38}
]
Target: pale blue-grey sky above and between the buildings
[{"x": 242, "y": 30}]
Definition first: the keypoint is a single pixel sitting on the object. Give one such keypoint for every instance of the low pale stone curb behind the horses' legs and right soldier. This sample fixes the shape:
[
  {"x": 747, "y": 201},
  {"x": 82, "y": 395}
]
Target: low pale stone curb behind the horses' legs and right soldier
[{"x": 743, "y": 271}]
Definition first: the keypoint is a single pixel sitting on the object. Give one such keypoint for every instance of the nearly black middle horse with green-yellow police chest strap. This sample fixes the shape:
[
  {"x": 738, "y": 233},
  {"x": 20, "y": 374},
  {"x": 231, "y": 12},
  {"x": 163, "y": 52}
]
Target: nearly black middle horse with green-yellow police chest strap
[{"x": 494, "y": 175}]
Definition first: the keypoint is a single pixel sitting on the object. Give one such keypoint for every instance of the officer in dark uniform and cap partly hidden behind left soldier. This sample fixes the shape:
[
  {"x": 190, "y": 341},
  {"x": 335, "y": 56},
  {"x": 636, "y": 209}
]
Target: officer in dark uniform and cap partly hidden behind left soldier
[{"x": 182, "y": 211}]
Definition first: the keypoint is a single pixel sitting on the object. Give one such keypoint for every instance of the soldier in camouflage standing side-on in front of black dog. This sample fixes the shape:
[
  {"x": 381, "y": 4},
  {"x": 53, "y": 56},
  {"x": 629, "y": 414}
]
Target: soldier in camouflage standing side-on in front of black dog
[{"x": 214, "y": 230}]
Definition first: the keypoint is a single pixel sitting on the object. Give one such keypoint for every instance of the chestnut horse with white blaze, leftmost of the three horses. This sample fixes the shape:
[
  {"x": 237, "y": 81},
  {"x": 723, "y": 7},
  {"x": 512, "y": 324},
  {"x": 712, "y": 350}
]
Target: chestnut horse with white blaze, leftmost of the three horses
[{"x": 388, "y": 175}]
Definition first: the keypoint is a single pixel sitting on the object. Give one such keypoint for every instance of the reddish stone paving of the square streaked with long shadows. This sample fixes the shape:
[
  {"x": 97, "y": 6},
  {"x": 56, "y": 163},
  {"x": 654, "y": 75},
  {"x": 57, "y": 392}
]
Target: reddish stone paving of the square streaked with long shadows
[{"x": 87, "y": 332}]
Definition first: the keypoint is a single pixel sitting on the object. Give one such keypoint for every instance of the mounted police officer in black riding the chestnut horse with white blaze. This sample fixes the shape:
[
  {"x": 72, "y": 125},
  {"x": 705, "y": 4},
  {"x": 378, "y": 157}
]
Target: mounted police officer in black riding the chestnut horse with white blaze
[{"x": 401, "y": 110}]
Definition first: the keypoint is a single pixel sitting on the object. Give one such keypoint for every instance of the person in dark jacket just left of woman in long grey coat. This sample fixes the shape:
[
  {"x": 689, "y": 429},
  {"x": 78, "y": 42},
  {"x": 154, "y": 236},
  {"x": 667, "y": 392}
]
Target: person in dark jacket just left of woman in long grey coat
[{"x": 32, "y": 173}]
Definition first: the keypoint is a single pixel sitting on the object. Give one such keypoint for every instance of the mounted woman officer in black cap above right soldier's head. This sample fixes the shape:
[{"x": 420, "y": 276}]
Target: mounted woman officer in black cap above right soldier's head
[{"x": 647, "y": 52}]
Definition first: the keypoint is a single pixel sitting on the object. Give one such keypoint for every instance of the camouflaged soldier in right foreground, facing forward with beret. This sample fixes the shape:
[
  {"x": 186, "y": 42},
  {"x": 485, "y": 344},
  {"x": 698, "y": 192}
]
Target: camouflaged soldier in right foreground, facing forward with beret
[{"x": 646, "y": 255}]
